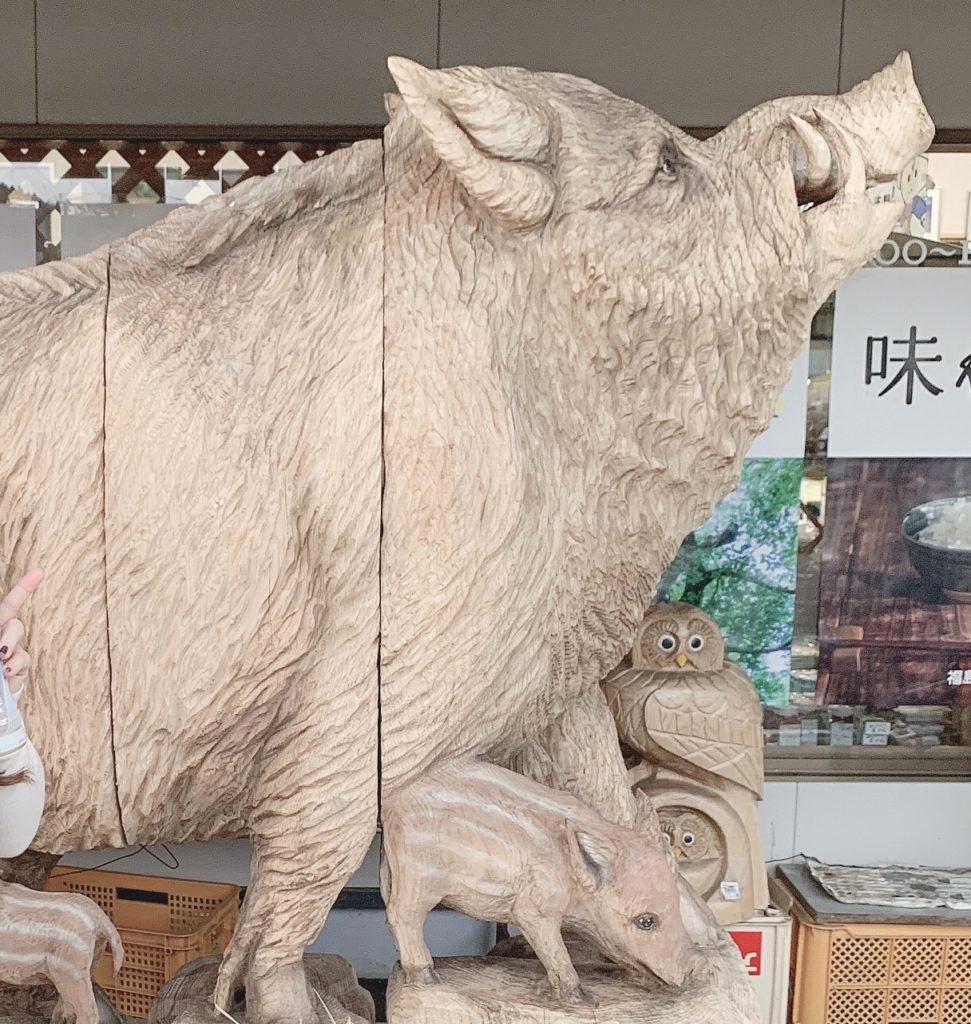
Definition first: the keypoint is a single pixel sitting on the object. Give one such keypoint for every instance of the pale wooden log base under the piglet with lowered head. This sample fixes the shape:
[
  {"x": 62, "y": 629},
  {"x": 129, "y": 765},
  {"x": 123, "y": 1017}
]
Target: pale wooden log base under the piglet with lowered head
[{"x": 500, "y": 991}]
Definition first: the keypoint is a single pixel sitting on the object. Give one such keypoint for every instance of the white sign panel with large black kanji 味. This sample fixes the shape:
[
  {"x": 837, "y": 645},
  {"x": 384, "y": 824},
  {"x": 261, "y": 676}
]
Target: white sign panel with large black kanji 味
[{"x": 902, "y": 365}]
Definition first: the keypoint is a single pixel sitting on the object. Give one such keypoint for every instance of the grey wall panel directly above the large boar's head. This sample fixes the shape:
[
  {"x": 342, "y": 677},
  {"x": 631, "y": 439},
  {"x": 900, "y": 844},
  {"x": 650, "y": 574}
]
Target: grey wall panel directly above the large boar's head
[{"x": 696, "y": 63}]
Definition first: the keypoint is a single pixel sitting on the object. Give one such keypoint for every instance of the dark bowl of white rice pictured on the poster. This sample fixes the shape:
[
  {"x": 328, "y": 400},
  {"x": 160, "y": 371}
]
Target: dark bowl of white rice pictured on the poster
[{"x": 945, "y": 566}]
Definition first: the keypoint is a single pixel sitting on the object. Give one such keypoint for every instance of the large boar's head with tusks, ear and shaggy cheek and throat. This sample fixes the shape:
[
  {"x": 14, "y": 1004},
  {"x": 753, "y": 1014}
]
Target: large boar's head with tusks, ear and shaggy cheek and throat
[{"x": 672, "y": 279}]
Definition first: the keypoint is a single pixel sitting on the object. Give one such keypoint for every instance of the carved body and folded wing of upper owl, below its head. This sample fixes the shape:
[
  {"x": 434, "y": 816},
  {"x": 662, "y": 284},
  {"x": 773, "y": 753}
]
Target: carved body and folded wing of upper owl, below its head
[{"x": 711, "y": 720}]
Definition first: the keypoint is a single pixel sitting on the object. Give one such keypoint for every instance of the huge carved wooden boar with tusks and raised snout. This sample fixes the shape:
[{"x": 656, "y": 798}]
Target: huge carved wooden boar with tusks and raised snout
[{"x": 406, "y": 436}]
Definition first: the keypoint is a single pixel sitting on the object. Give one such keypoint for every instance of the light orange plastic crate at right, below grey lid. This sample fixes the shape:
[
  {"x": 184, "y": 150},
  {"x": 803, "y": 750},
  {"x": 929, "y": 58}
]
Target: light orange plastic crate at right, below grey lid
[{"x": 881, "y": 974}]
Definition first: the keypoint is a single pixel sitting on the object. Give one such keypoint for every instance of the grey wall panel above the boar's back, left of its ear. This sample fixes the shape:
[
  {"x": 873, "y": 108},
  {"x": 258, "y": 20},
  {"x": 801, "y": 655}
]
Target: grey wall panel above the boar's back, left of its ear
[{"x": 252, "y": 62}]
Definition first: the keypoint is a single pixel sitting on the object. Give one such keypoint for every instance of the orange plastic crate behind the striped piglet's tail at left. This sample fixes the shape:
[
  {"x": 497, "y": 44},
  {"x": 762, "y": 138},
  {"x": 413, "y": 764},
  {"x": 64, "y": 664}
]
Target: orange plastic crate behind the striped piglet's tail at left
[{"x": 163, "y": 923}]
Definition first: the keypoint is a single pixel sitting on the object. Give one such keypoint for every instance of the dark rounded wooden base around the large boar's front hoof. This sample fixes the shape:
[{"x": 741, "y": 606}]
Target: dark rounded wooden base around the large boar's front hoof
[{"x": 187, "y": 999}]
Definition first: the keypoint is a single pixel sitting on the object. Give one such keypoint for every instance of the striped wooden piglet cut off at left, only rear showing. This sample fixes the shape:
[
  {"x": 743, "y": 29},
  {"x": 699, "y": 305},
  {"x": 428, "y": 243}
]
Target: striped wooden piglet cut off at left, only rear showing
[{"x": 56, "y": 937}]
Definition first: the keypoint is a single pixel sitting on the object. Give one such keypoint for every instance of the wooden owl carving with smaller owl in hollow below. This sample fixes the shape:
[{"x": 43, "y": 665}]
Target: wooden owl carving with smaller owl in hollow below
[{"x": 695, "y": 720}]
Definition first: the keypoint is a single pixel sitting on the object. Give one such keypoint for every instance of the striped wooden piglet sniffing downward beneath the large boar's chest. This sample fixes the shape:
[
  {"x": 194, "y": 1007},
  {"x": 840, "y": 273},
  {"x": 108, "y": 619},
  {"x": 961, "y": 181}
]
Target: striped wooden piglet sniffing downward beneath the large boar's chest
[{"x": 499, "y": 847}]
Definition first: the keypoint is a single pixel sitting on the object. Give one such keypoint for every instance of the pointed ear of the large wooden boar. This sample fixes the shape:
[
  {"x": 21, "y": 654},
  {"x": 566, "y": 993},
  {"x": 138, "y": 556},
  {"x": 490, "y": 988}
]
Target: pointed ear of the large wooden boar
[{"x": 495, "y": 143}]
